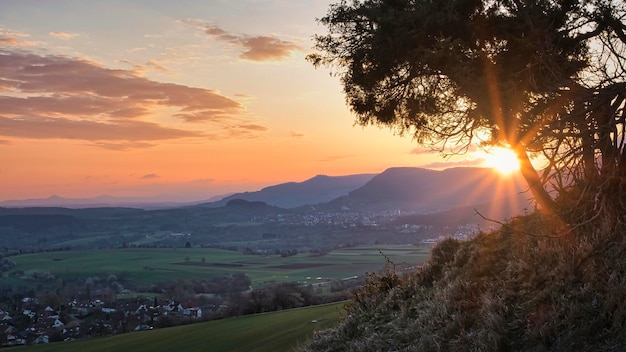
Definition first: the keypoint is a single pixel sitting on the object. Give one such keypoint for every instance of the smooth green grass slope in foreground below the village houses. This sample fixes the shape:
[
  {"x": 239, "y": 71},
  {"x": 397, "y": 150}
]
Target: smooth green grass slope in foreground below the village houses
[{"x": 277, "y": 331}]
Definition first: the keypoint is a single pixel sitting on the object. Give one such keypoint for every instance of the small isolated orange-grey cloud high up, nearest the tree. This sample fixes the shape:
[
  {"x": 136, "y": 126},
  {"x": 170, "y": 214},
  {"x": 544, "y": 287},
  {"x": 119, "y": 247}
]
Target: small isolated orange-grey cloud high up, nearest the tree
[{"x": 255, "y": 48}]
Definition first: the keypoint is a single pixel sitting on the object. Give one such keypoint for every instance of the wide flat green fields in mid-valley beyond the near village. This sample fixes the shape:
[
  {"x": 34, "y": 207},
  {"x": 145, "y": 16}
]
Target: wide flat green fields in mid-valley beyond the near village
[{"x": 144, "y": 266}]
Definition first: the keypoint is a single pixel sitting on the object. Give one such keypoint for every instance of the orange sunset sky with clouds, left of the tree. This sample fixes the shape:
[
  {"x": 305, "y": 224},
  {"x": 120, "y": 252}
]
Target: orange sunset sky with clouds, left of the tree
[{"x": 186, "y": 98}]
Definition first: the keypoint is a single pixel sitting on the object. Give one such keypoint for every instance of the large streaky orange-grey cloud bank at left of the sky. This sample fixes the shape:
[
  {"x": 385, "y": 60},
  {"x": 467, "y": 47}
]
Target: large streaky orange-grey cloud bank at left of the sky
[{"x": 56, "y": 97}]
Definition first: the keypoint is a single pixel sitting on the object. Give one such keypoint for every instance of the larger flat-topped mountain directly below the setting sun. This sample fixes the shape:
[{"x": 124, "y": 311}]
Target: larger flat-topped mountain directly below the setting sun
[{"x": 419, "y": 189}]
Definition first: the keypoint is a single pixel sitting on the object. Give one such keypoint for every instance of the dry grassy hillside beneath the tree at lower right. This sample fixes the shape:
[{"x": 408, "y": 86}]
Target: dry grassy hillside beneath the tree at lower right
[{"x": 534, "y": 285}]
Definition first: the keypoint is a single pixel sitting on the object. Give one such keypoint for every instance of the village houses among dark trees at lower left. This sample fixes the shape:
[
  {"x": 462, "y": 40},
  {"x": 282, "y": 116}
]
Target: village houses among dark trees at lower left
[{"x": 34, "y": 323}]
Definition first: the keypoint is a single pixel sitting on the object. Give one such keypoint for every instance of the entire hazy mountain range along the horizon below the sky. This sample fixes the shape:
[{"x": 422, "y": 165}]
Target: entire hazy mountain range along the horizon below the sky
[{"x": 410, "y": 189}]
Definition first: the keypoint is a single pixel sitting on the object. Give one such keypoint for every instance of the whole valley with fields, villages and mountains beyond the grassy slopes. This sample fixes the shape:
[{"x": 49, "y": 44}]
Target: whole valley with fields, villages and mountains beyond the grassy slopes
[{"x": 72, "y": 273}]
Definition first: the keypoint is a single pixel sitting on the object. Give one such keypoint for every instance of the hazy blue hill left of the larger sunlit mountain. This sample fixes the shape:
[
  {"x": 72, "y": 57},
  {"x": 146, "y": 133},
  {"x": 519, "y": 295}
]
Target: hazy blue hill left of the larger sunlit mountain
[{"x": 315, "y": 190}]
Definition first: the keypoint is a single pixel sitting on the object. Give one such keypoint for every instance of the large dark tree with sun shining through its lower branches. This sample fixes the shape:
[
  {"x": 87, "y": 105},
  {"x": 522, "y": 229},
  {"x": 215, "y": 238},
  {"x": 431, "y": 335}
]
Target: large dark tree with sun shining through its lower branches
[{"x": 545, "y": 78}]
